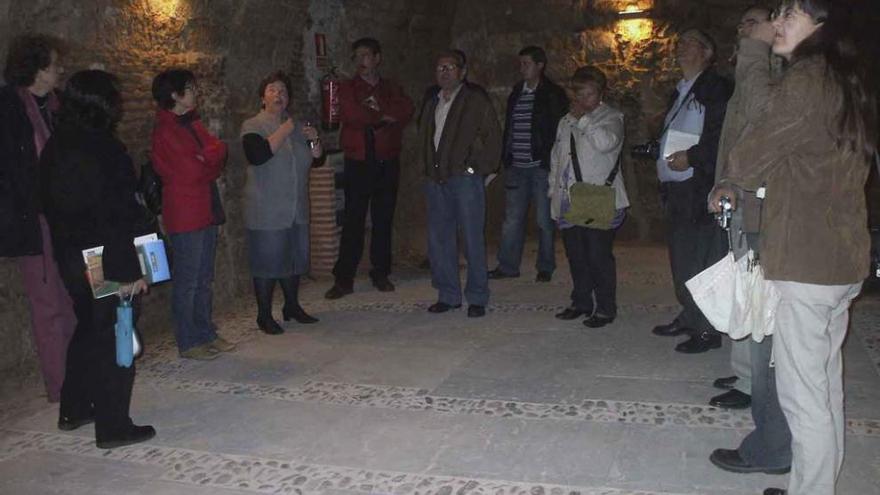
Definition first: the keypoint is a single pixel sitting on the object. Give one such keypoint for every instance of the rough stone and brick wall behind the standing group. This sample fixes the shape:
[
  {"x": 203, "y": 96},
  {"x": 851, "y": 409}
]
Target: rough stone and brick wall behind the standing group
[{"x": 232, "y": 44}]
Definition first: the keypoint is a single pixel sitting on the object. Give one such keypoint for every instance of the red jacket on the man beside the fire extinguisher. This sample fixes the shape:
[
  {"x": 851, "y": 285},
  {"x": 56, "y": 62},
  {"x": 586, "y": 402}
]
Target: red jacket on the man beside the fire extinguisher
[{"x": 356, "y": 117}]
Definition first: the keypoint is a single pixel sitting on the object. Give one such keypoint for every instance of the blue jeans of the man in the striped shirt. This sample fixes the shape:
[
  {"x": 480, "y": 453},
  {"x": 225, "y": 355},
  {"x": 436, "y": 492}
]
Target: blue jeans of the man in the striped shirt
[{"x": 522, "y": 186}]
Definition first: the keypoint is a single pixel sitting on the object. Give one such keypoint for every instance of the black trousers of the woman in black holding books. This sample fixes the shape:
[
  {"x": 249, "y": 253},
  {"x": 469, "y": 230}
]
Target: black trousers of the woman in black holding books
[{"x": 92, "y": 378}]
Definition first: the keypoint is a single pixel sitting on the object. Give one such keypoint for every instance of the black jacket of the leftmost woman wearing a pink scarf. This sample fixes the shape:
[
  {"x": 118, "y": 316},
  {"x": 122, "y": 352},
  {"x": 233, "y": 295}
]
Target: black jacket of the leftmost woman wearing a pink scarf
[{"x": 19, "y": 203}]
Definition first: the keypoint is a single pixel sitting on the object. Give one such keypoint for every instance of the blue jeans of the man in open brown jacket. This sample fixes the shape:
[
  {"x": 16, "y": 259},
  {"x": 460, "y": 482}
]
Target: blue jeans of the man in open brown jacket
[{"x": 459, "y": 204}]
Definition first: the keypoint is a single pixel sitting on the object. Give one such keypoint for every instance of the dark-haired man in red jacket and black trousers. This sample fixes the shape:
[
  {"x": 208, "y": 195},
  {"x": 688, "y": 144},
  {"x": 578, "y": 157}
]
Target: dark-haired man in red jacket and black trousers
[{"x": 374, "y": 111}]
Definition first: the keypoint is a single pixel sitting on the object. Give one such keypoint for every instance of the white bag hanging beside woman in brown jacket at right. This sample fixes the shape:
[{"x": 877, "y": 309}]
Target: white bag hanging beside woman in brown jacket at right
[{"x": 735, "y": 298}]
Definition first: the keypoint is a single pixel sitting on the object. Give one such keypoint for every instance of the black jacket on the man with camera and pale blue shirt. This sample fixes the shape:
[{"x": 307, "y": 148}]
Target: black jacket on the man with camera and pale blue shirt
[{"x": 711, "y": 90}]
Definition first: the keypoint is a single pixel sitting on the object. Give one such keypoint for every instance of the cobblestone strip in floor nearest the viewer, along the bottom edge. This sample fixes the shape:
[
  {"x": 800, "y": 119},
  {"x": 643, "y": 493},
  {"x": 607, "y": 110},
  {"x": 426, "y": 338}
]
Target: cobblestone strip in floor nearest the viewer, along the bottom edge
[{"x": 276, "y": 476}]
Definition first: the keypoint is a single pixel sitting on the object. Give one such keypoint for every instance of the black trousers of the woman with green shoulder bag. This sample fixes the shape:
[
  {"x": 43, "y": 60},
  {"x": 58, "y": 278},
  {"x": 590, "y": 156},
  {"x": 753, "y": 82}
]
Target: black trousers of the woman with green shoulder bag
[{"x": 593, "y": 269}]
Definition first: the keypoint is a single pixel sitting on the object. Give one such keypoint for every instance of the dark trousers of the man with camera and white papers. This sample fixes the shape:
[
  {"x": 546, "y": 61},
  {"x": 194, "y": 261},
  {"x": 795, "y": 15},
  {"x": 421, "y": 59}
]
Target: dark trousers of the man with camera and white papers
[{"x": 695, "y": 242}]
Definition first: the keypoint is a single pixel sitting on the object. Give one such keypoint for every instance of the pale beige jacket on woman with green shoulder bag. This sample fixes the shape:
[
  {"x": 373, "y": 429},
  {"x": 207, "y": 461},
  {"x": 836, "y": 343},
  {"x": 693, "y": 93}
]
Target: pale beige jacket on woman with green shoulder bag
[{"x": 598, "y": 138}]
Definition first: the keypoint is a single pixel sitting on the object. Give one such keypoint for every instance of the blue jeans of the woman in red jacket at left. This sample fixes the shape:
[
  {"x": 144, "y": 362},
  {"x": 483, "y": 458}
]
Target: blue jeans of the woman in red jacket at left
[{"x": 191, "y": 296}]
